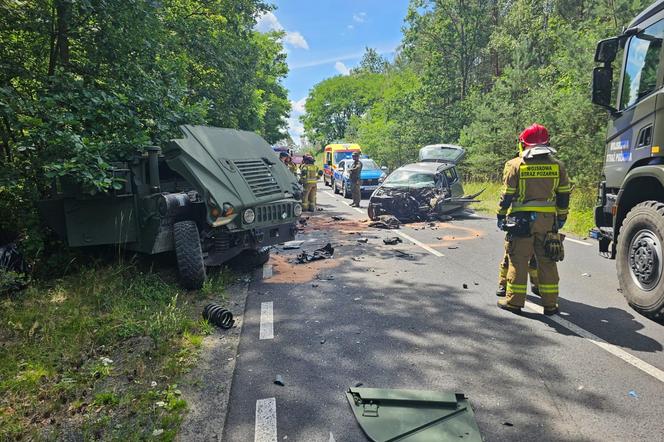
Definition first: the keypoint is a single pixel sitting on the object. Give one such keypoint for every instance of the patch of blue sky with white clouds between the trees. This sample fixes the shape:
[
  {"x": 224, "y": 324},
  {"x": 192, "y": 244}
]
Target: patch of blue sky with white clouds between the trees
[{"x": 327, "y": 37}]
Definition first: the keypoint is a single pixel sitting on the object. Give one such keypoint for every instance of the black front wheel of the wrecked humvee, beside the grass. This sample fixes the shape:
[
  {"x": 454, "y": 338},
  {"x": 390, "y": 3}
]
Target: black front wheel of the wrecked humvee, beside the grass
[{"x": 189, "y": 254}]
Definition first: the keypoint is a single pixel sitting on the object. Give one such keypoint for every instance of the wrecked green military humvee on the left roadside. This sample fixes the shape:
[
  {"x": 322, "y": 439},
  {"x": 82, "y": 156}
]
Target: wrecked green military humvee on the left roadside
[{"x": 212, "y": 195}]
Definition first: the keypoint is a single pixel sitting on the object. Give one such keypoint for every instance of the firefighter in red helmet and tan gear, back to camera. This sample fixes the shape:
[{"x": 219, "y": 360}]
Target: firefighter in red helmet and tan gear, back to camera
[{"x": 536, "y": 195}]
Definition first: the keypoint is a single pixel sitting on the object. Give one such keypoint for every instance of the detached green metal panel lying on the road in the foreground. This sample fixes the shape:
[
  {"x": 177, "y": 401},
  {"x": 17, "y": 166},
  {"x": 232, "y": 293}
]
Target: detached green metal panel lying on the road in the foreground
[{"x": 413, "y": 415}]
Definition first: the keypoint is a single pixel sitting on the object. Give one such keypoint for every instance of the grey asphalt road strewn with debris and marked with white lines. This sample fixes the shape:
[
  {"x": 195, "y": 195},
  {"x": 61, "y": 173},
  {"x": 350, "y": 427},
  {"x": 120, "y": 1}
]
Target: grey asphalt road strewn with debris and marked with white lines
[{"x": 375, "y": 316}]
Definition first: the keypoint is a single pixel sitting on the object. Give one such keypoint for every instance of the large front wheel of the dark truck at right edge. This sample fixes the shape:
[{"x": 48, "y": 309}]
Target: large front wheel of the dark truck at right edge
[{"x": 640, "y": 258}]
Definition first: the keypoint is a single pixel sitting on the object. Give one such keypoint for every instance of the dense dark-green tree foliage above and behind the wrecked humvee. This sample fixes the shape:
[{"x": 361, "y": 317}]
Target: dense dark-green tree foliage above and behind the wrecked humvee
[{"x": 87, "y": 82}]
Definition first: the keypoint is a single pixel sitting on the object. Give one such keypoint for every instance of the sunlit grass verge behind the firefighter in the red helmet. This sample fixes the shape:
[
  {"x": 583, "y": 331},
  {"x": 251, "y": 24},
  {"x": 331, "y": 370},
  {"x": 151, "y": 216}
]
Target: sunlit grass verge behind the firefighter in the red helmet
[{"x": 582, "y": 203}]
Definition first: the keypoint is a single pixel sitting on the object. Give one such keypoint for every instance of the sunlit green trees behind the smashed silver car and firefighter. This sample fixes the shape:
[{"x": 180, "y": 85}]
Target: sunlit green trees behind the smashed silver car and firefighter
[{"x": 478, "y": 72}]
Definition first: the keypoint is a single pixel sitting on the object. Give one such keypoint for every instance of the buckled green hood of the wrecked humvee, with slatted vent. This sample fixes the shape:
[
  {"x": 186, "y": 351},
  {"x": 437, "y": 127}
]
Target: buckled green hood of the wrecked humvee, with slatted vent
[{"x": 230, "y": 166}]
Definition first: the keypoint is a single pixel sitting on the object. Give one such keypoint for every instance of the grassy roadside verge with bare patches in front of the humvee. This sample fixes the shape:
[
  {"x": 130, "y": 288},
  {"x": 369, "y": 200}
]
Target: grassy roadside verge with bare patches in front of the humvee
[{"x": 99, "y": 354}]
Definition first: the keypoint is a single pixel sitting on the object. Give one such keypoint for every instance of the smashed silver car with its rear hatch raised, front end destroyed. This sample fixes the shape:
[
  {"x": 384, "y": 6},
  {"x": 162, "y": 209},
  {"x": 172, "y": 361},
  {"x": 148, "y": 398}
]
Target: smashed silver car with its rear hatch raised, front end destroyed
[{"x": 425, "y": 191}]
